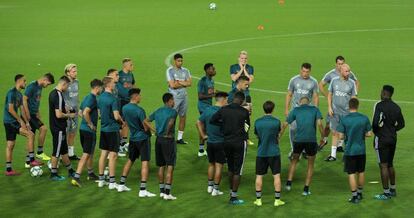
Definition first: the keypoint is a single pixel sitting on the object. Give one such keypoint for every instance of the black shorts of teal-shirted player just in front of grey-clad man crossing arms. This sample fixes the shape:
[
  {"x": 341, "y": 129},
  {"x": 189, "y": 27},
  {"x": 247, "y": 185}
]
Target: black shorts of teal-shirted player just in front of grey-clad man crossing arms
[{"x": 165, "y": 151}]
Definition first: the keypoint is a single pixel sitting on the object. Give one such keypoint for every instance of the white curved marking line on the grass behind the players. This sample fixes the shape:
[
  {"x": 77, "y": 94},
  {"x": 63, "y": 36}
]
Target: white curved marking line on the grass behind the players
[{"x": 168, "y": 58}]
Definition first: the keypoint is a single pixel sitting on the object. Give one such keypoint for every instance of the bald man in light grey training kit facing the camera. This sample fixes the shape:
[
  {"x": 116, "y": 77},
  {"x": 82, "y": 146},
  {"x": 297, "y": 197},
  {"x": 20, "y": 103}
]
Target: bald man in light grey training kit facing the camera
[{"x": 341, "y": 90}]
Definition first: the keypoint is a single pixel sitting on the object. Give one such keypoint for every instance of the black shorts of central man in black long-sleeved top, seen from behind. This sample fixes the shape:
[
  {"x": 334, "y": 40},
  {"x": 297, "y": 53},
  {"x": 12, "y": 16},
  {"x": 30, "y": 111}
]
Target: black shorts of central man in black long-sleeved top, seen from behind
[{"x": 235, "y": 155}]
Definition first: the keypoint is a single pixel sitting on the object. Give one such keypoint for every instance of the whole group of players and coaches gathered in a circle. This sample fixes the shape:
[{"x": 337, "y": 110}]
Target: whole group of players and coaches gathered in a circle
[{"x": 223, "y": 126}]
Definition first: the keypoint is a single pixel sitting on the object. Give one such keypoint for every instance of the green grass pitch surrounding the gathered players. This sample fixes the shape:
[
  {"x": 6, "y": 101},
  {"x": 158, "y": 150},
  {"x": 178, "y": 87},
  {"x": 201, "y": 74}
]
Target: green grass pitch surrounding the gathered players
[{"x": 96, "y": 35}]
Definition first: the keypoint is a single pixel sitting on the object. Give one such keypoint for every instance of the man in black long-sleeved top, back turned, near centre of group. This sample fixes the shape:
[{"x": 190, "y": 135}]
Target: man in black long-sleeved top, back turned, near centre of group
[{"x": 235, "y": 122}]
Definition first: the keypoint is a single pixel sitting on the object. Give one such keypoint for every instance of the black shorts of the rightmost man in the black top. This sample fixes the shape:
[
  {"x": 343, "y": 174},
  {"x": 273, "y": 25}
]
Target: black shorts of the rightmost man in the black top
[{"x": 385, "y": 151}]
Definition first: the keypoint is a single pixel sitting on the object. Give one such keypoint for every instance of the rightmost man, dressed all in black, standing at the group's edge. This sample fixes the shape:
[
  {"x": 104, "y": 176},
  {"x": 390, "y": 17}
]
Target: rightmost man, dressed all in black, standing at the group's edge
[{"x": 388, "y": 119}]
